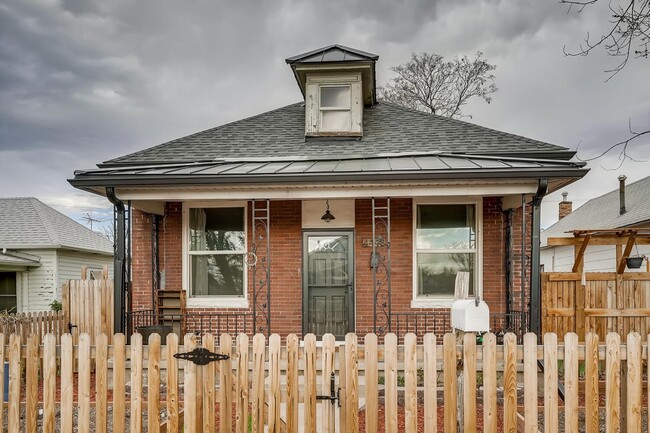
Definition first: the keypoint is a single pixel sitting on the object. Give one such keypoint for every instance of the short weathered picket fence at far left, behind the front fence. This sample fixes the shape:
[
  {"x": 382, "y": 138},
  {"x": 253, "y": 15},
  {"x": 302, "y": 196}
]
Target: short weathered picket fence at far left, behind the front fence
[{"x": 38, "y": 323}]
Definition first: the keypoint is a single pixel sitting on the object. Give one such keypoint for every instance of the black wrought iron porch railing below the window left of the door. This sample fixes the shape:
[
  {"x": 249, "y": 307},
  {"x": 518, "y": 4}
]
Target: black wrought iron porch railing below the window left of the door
[{"x": 194, "y": 323}]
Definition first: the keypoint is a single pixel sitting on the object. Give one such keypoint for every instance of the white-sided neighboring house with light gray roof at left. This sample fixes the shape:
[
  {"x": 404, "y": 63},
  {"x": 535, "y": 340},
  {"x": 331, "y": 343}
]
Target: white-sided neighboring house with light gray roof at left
[{"x": 40, "y": 248}]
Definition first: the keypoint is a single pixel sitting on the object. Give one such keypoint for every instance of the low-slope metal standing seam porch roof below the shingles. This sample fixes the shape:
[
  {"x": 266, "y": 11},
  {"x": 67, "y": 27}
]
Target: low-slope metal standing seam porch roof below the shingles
[{"x": 382, "y": 166}]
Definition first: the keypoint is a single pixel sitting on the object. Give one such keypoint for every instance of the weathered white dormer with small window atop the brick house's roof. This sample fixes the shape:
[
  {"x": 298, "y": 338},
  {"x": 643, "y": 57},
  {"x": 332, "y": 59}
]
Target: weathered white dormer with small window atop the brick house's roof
[{"x": 336, "y": 82}]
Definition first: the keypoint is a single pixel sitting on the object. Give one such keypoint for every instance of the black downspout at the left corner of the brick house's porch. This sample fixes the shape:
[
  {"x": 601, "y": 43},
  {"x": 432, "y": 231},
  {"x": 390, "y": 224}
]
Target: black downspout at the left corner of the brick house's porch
[{"x": 119, "y": 258}]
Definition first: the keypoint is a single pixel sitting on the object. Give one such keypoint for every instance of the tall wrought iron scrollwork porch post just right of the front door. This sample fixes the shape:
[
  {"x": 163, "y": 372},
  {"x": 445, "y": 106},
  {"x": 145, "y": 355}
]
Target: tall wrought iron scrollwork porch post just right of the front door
[{"x": 381, "y": 265}]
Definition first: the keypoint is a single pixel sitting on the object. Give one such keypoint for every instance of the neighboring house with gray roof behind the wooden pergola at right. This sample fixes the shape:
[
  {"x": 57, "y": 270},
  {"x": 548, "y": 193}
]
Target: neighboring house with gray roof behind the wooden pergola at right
[{"x": 602, "y": 212}]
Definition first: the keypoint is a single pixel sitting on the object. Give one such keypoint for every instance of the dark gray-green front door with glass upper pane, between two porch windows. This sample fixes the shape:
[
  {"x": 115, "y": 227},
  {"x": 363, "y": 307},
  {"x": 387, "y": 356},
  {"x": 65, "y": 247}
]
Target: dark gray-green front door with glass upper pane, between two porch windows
[{"x": 328, "y": 283}]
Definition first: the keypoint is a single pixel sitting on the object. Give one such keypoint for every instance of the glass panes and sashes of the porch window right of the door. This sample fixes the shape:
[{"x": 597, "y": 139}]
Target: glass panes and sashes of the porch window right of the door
[{"x": 445, "y": 243}]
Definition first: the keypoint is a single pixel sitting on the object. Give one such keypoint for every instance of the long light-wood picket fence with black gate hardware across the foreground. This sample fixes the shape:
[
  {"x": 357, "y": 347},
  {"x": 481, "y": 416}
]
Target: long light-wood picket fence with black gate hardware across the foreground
[{"x": 250, "y": 390}]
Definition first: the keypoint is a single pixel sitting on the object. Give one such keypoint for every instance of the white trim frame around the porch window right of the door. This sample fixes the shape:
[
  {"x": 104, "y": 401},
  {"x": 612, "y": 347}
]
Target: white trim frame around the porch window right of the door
[{"x": 446, "y": 301}]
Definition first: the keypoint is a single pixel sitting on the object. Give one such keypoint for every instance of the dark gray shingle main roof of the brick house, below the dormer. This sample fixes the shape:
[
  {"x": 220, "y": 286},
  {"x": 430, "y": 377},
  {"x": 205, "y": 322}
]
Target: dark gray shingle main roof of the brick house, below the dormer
[{"x": 387, "y": 128}]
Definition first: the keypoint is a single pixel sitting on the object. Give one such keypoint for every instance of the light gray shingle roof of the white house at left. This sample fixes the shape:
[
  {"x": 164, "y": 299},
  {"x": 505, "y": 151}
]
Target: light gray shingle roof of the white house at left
[{"x": 26, "y": 223}]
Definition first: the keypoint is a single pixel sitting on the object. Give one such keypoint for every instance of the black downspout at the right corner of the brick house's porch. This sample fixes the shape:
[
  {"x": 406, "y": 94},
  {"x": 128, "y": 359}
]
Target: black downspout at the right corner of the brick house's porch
[{"x": 535, "y": 277}]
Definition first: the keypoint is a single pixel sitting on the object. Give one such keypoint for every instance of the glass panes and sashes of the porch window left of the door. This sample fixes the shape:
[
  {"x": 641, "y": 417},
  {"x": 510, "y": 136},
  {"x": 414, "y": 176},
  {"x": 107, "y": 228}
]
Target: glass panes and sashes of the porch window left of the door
[{"x": 216, "y": 248}]
